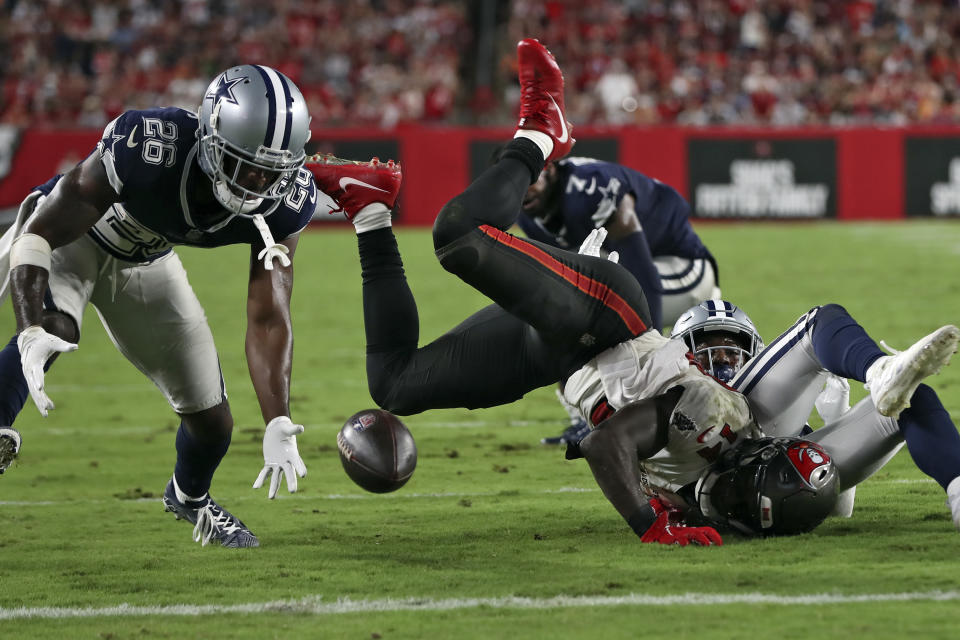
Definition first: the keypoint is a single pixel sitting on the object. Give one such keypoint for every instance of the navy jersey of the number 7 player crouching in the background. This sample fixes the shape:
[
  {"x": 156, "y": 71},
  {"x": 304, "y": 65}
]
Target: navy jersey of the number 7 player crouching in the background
[{"x": 591, "y": 190}]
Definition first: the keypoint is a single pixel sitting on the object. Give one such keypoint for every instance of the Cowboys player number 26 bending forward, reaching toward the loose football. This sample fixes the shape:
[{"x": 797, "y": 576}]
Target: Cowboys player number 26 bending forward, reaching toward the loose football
[{"x": 104, "y": 233}]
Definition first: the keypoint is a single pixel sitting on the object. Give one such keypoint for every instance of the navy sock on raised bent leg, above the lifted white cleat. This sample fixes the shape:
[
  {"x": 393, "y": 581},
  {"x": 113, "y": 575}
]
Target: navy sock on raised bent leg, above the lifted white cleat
[{"x": 842, "y": 345}]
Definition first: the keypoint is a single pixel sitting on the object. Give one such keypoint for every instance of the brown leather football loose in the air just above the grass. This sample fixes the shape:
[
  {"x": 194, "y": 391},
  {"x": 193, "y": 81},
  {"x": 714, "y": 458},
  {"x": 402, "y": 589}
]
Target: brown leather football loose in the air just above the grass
[{"x": 377, "y": 450}]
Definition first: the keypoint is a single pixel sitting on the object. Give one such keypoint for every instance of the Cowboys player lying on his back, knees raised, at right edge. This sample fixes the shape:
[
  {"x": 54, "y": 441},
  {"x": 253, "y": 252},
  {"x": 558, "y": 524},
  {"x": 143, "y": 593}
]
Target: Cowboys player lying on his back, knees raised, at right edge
[{"x": 827, "y": 346}]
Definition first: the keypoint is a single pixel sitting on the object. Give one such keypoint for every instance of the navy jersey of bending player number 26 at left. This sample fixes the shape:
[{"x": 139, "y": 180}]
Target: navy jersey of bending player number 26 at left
[{"x": 150, "y": 160}]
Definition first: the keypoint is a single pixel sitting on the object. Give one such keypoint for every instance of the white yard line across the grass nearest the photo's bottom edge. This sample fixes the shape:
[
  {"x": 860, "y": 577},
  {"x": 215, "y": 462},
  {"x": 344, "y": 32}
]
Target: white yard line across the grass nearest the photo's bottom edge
[{"x": 315, "y": 605}]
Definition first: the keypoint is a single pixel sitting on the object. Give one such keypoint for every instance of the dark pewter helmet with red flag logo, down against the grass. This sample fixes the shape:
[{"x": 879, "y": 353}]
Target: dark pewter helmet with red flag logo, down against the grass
[{"x": 770, "y": 487}]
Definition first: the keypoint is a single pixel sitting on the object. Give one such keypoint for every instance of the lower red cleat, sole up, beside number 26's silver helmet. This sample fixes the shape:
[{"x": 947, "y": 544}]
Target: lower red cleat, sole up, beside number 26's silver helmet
[{"x": 354, "y": 184}]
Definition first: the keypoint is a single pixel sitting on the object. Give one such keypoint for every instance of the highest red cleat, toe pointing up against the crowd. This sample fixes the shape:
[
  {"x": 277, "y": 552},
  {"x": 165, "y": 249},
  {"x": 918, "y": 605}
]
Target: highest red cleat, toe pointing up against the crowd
[{"x": 541, "y": 96}]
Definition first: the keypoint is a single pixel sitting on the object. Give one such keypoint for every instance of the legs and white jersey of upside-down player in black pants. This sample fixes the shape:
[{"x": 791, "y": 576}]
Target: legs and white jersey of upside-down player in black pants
[{"x": 553, "y": 312}]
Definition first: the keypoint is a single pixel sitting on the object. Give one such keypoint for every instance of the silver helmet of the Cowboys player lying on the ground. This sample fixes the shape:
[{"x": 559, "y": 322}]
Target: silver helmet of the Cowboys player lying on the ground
[{"x": 724, "y": 319}]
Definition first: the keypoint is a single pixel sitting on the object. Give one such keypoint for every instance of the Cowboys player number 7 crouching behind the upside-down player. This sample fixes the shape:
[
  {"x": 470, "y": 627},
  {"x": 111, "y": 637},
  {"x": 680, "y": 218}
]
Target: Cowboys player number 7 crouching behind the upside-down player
[{"x": 647, "y": 224}]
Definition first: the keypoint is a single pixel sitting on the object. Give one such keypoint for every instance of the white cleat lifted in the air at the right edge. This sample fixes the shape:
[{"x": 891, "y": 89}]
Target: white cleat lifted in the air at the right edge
[{"x": 893, "y": 379}]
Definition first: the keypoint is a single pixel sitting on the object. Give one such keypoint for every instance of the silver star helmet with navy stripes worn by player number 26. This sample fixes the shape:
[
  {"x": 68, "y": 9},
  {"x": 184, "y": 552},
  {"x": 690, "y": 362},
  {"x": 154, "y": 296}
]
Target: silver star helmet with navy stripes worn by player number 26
[{"x": 253, "y": 127}]
